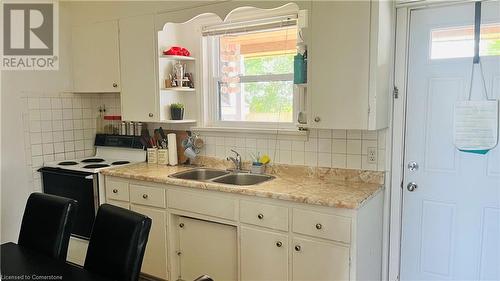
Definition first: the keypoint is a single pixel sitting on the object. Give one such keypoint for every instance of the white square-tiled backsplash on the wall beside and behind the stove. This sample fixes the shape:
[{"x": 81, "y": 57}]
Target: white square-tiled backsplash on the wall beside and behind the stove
[{"x": 61, "y": 126}]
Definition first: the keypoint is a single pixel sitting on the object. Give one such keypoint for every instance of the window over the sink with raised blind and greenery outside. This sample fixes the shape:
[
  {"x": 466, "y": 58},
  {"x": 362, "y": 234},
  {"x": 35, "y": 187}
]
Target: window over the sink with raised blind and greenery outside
[{"x": 250, "y": 65}]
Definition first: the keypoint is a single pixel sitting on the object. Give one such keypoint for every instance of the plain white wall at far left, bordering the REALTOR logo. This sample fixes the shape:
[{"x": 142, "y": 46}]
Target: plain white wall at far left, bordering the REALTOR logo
[{"x": 16, "y": 84}]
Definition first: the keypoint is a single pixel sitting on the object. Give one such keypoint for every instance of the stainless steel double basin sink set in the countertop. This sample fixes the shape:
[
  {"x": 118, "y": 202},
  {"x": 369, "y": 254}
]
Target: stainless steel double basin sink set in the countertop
[{"x": 221, "y": 176}]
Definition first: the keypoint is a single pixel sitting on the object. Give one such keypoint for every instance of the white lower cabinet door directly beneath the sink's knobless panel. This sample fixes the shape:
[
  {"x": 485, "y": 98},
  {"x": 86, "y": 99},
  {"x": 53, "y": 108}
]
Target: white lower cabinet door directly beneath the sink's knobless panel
[{"x": 207, "y": 248}]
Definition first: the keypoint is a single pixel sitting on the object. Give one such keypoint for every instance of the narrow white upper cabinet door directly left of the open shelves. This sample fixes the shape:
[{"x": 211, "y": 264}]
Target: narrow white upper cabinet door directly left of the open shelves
[{"x": 139, "y": 95}]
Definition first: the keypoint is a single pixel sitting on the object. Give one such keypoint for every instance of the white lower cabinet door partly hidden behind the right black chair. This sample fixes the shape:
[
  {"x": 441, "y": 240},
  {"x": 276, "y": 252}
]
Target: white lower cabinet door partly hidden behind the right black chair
[{"x": 155, "y": 257}]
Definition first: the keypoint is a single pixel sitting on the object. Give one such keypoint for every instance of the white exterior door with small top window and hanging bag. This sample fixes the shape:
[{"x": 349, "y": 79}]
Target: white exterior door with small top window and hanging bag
[{"x": 451, "y": 220}]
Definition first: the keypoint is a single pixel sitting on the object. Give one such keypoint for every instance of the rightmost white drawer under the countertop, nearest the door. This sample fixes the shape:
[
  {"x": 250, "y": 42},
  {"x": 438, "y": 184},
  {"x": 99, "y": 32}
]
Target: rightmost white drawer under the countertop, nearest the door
[{"x": 322, "y": 225}]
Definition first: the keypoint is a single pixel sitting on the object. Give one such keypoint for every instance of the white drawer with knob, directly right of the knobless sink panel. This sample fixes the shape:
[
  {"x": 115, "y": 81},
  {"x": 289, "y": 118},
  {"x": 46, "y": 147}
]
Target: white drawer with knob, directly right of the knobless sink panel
[{"x": 265, "y": 215}]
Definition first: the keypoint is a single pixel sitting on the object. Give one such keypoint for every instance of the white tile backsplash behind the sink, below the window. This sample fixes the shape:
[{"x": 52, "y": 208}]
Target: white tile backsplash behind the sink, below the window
[{"x": 323, "y": 148}]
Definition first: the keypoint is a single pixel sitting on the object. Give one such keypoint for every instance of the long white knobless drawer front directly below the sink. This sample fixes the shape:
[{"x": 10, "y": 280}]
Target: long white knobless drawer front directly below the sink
[{"x": 202, "y": 204}]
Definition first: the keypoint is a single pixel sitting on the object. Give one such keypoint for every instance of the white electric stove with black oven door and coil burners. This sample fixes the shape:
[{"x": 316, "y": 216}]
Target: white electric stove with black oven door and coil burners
[{"x": 80, "y": 180}]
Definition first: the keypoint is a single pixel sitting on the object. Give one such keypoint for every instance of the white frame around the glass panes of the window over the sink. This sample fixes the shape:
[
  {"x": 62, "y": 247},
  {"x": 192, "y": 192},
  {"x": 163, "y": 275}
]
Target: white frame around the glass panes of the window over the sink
[{"x": 212, "y": 104}]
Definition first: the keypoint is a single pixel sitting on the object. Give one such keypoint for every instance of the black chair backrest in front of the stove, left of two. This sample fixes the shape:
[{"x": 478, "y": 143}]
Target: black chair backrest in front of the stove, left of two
[{"x": 46, "y": 225}]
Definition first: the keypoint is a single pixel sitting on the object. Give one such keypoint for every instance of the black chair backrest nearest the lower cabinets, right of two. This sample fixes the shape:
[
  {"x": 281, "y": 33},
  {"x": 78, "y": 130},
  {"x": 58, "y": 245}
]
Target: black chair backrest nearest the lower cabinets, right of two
[{"x": 117, "y": 243}]
